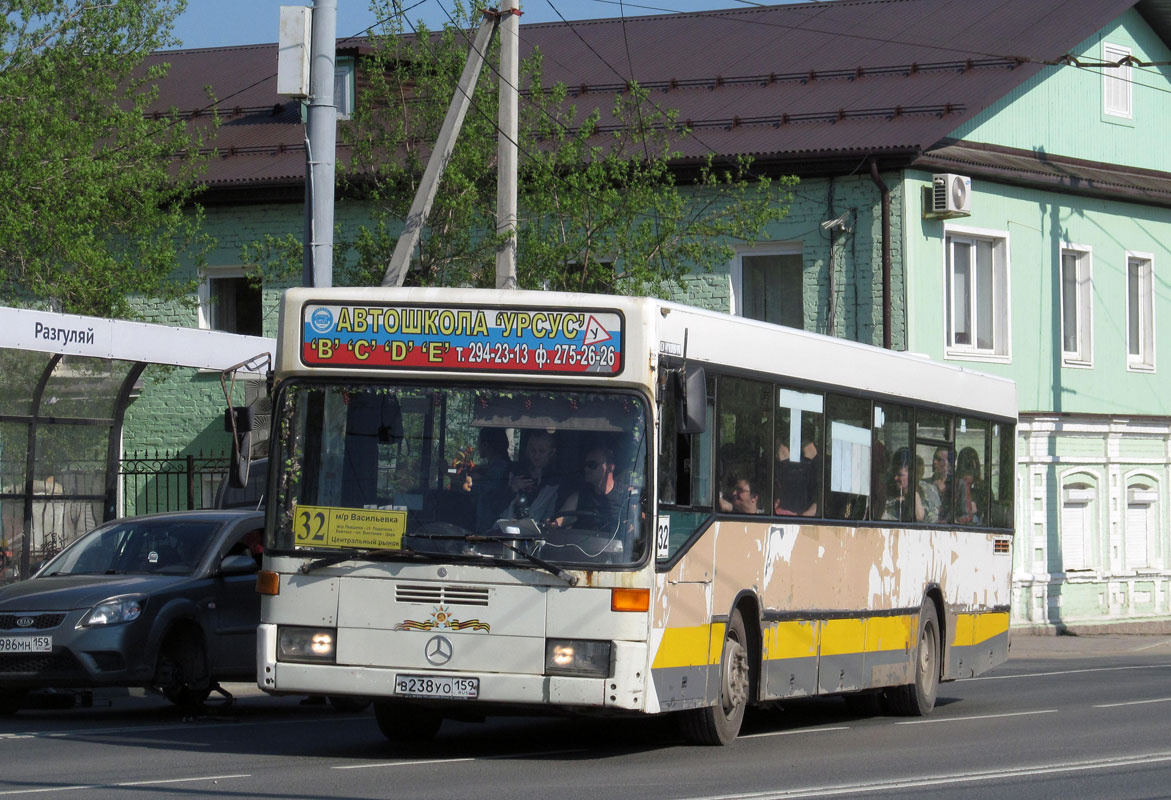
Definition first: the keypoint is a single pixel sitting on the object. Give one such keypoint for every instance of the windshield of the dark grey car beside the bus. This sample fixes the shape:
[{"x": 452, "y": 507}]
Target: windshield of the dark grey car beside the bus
[{"x": 162, "y": 546}]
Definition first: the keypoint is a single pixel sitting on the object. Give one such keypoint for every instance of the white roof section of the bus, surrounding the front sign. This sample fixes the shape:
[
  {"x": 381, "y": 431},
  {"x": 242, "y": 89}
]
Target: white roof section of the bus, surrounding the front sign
[{"x": 652, "y": 327}]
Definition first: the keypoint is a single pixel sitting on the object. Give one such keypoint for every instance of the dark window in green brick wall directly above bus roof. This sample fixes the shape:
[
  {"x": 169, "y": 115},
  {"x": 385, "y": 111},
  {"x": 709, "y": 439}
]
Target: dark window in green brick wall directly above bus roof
[{"x": 770, "y": 286}]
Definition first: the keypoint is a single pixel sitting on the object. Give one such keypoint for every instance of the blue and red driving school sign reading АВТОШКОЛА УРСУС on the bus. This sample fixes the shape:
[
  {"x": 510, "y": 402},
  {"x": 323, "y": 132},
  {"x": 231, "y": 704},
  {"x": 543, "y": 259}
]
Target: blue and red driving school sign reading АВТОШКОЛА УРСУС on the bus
[{"x": 463, "y": 339}]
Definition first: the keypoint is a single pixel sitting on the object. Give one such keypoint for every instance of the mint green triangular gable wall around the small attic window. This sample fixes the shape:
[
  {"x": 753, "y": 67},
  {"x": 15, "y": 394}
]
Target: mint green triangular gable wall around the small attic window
[{"x": 1059, "y": 112}]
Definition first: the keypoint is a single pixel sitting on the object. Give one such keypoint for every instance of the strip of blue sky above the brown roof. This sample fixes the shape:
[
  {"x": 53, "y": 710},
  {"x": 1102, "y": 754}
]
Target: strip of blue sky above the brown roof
[{"x": 224, "y": 23}]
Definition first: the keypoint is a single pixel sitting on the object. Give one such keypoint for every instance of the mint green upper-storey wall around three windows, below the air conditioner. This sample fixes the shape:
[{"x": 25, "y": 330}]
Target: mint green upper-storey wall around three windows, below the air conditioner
[{"x": 1038, "y": 225}]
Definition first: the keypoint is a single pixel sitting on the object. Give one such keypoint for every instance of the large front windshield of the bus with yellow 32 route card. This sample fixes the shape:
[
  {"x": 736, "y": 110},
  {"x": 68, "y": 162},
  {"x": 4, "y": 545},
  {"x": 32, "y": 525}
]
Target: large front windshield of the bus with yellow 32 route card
[{"x": 462, "y": 474}]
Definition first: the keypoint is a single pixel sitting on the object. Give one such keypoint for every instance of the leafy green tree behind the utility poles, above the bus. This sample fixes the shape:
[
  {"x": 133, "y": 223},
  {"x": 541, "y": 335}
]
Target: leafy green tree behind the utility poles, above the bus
[{"x": 601, "y": 208}]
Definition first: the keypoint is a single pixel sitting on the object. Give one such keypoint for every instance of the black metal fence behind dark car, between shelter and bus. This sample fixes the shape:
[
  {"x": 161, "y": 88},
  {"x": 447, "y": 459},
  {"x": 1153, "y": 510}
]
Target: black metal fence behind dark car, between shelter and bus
[{"x": 170, "y": 482}]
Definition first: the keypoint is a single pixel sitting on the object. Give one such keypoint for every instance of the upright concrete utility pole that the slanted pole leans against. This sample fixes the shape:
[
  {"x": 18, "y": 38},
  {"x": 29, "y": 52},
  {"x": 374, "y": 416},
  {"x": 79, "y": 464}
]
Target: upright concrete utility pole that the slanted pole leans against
[{"x": 506, "y": 148}]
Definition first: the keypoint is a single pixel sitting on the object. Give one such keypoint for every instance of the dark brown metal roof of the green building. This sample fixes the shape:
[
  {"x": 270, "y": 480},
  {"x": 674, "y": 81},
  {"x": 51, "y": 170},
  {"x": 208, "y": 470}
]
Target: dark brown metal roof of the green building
[{"x": 810, "y": 88}]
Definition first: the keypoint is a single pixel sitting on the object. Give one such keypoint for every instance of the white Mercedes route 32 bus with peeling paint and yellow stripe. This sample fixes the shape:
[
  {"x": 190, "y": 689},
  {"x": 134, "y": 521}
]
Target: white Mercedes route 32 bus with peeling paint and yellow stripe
[{"x": 511, "y": 502}]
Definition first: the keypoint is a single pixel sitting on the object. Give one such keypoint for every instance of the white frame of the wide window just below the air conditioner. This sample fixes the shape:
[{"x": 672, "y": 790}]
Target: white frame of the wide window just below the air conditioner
[{"x": 1002, "y": 293}]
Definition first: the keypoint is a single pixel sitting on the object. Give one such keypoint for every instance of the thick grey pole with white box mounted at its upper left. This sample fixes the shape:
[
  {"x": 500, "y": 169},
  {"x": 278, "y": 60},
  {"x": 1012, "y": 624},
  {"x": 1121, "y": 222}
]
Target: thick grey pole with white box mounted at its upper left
[{"x": 323, "y": 145}]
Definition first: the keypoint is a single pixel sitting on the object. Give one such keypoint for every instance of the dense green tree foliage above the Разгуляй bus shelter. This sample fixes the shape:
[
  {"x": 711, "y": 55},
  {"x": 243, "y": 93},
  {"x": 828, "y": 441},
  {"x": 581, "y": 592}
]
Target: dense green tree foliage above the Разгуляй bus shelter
[{"x": 94, "y": 204}]
